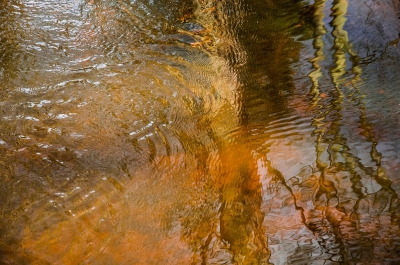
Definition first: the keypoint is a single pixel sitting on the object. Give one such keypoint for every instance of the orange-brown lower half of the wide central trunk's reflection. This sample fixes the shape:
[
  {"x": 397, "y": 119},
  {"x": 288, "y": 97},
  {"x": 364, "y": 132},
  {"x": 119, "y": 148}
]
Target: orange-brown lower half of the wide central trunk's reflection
[{"x": 241, "y": 218}]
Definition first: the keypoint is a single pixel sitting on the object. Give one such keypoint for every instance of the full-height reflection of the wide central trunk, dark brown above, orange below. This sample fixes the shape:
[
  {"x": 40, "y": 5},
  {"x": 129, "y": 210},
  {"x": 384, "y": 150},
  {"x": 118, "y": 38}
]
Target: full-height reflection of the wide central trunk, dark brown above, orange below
[{"x": 253, "y": 39}]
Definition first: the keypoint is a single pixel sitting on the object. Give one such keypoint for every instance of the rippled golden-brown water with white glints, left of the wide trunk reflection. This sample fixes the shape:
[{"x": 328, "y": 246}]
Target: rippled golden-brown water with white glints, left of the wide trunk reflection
[{"x": 93, "y": 127}]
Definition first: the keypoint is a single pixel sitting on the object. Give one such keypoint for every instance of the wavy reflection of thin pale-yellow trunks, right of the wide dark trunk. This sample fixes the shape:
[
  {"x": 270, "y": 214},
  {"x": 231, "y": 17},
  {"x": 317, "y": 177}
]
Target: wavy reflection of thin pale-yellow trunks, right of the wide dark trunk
[{"x": 340, "y": 193}]
